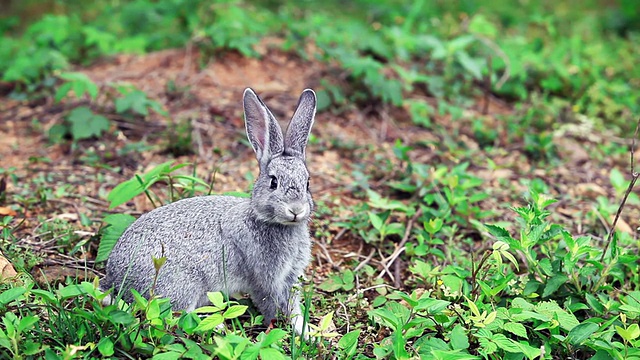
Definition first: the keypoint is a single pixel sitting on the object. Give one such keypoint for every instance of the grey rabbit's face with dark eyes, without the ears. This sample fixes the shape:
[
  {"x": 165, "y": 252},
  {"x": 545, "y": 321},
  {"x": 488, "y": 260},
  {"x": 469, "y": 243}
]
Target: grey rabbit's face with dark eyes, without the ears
[{"x": 281, "y": 193}]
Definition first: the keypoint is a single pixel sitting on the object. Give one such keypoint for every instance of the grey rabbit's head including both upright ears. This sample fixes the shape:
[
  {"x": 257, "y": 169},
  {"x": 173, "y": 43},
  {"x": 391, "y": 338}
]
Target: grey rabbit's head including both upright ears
[{"x": 281, "y": 192}]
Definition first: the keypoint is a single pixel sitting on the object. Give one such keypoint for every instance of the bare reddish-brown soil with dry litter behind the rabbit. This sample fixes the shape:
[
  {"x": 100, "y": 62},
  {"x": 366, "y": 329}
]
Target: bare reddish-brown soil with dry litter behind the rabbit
[{"x": 208, "y": 94}]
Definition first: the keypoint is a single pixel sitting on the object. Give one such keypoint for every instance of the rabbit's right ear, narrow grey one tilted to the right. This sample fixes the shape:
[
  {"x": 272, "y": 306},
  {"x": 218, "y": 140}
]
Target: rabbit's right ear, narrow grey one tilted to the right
[{"x": 299, "y": 128}]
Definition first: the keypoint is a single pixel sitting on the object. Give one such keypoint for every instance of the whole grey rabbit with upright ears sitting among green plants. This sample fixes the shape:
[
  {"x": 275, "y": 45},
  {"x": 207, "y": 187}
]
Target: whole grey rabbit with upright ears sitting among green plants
[{"x": 259, "y": 245}]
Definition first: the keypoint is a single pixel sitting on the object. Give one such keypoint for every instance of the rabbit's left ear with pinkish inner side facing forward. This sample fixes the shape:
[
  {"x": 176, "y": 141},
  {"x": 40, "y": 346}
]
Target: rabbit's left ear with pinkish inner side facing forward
[{"x": 263, "y": 130}]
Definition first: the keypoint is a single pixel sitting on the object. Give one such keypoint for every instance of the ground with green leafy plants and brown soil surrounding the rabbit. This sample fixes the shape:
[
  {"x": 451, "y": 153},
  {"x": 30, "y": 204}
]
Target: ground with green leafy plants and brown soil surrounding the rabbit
[{"x": 473, "y": 165}]
